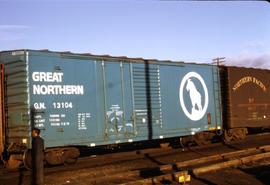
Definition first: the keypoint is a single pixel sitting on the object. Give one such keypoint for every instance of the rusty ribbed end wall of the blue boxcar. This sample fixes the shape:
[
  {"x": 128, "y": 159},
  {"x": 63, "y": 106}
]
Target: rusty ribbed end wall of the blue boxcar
[{"x": 17, "y": 96}]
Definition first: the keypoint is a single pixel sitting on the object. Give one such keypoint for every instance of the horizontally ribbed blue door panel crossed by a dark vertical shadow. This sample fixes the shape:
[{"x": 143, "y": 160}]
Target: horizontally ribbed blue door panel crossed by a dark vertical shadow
[{"x": 147, "y": 99}]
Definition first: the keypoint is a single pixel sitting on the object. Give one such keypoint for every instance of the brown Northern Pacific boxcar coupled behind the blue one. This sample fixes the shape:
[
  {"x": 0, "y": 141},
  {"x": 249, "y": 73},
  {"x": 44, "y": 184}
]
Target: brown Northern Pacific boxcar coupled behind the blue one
[{"x": 246, "y": 100}]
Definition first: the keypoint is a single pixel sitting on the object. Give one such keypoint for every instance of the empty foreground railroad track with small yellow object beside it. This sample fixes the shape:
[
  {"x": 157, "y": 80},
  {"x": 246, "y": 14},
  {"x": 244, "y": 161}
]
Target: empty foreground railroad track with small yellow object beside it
[{"x": 182, "y": 171}]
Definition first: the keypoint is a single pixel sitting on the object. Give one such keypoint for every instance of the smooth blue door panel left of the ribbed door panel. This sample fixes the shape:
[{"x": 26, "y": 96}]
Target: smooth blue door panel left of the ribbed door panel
[{"x": 117, "y": 101}]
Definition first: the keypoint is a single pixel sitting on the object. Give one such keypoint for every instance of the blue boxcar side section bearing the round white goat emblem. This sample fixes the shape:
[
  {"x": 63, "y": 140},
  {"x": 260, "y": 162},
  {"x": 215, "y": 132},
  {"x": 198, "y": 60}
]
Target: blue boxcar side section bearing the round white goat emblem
[{"x": 190, "y": 99}]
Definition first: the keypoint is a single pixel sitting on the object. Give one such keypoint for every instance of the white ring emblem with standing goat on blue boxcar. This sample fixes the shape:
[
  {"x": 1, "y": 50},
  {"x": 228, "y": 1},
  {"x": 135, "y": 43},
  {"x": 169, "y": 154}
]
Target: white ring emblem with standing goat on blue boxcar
[{"x": 197, "y": 110}]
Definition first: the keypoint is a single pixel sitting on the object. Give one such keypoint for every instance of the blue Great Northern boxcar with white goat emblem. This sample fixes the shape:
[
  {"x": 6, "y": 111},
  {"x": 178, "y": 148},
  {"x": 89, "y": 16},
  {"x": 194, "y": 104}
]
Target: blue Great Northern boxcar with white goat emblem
[{"x": 84, "y": 99}]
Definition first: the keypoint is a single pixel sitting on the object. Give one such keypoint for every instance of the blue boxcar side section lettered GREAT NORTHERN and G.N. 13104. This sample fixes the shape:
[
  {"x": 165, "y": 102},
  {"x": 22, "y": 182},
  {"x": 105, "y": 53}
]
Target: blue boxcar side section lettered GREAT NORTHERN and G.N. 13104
[{"x": 63, "y": 95}]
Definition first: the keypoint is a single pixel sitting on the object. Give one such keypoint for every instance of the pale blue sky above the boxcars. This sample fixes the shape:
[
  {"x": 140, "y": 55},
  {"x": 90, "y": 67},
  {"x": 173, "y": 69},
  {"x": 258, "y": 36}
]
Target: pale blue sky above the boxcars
[{"x": 191, "y": 31}]
